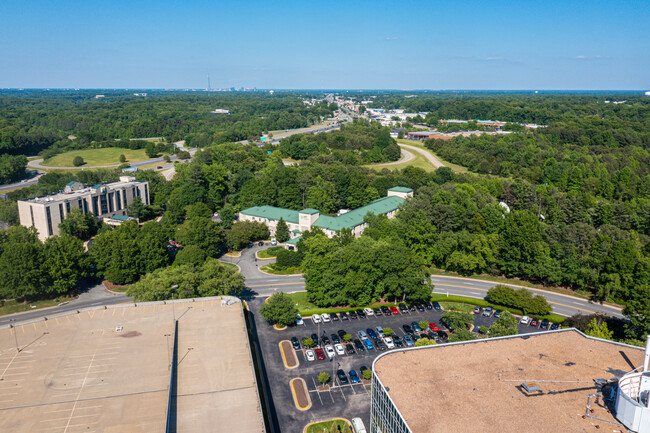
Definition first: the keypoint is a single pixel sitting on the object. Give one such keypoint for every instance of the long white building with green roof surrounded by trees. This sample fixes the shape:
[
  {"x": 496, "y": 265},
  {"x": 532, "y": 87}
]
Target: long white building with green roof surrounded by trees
[{"x": 300, "y": 221}]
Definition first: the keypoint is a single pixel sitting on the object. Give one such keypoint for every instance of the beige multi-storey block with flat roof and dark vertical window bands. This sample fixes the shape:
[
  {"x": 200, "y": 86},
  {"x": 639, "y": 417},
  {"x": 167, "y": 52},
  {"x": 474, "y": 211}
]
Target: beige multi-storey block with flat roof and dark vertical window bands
[{"x": 104, "y": 200}]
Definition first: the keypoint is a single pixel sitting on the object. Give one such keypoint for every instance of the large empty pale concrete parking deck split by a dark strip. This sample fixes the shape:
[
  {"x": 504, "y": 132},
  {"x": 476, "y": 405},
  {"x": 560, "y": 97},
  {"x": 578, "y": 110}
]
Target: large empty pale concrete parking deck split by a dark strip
[{"x": 77, "y": 372}]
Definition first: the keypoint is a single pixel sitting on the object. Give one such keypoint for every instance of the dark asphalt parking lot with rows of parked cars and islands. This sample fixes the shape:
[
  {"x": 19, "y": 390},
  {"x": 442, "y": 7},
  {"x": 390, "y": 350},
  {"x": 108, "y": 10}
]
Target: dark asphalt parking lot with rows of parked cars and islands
[{"x": 341, "y": 400}]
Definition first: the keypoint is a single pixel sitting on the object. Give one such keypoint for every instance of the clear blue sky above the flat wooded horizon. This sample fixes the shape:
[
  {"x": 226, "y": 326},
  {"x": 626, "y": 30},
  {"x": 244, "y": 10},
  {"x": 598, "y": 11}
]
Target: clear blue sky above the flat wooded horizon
[{"x": 350, "y": 44}]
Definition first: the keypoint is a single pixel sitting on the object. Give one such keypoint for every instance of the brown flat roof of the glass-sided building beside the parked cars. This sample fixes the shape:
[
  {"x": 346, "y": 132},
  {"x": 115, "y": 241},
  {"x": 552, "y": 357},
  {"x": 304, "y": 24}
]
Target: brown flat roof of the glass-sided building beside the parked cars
[{"x": 476, "y": 386}]
